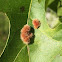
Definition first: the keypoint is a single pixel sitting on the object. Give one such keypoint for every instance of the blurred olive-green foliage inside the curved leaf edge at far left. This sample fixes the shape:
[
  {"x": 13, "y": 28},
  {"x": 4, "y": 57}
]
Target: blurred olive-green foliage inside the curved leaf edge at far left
[{"x": 4, "y": 29}]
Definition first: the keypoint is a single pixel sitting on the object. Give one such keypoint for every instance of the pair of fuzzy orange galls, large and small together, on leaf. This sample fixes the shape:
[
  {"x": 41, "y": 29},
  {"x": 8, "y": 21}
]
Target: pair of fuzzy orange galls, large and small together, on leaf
[{"x": 26, "y": 35}]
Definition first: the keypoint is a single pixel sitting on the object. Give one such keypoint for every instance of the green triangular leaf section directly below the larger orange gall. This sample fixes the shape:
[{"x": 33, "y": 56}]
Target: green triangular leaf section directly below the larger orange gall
[{"x": 22, "y": 55}]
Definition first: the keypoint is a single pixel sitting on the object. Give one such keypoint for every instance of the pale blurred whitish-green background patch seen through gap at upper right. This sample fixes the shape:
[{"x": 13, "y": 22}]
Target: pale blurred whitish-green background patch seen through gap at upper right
[{"x": 52, "y": 18}]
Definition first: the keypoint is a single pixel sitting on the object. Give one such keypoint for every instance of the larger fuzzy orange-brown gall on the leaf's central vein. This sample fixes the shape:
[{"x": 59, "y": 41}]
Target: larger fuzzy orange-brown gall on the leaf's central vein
[{"x": 25, "y": 34}]
